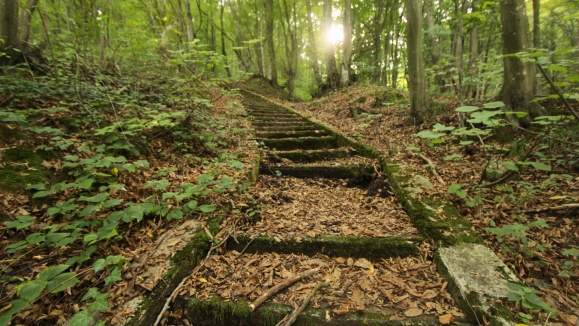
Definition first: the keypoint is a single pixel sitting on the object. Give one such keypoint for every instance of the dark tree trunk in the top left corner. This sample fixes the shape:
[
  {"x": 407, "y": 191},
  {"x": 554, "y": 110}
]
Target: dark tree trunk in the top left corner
[{"x": 8, "y": 30}]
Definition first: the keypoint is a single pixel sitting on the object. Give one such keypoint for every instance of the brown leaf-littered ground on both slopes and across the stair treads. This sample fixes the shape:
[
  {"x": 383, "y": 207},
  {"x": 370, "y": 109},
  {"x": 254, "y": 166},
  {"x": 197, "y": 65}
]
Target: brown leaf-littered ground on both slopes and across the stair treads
[{"x": 276, "y": 207}]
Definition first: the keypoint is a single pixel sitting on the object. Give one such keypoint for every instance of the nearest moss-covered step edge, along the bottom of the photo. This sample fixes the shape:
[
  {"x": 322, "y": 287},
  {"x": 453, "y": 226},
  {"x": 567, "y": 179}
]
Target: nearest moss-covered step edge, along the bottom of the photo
[{"x": 218, "y": 312}]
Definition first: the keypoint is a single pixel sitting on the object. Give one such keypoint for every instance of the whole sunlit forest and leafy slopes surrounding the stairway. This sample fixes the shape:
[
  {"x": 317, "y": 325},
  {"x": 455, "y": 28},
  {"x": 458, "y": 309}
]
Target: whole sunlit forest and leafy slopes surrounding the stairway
[{"x": 95, "y": 92}]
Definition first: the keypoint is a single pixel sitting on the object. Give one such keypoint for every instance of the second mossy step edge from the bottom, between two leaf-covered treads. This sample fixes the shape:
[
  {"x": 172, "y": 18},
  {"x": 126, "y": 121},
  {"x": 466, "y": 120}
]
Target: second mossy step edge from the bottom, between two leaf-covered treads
[{"x": 333, "y": 246}]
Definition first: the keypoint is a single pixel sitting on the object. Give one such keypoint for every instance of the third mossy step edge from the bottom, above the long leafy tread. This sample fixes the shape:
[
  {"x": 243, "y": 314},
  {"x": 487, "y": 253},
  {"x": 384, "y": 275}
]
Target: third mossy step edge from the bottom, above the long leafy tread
[{"x": 312, "y": 171}]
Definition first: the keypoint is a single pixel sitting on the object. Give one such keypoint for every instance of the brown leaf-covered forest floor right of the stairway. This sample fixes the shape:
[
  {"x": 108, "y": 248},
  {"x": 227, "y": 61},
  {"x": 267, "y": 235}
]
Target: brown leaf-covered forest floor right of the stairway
[{"x": 535, "y": 253}]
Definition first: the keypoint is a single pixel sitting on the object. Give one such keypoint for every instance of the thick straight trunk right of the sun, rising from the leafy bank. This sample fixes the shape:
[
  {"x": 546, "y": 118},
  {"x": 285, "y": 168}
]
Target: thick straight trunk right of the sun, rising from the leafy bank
[{"x": 417, "y": 85}]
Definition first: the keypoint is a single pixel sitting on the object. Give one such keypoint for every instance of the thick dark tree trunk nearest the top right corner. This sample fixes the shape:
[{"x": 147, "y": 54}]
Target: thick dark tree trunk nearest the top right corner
[{"x": 519, "y": 76}]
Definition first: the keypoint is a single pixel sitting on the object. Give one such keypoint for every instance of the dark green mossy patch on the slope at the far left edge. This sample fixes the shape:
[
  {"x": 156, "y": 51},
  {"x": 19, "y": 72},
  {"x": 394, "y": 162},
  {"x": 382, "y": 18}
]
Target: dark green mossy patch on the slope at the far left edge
[{"x": 22, "y": 167}]
